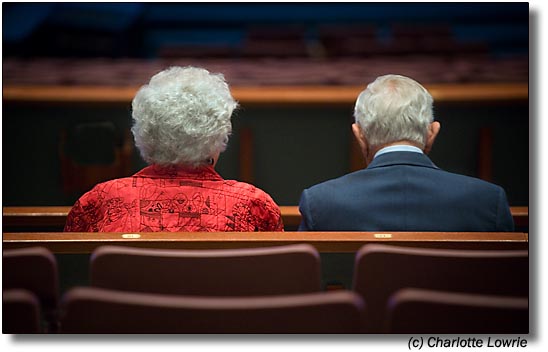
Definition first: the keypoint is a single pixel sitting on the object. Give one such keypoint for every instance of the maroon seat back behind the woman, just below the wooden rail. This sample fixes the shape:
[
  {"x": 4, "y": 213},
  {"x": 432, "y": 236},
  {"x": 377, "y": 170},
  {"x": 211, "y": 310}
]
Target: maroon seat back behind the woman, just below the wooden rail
[{"x": 291, "y": 269}]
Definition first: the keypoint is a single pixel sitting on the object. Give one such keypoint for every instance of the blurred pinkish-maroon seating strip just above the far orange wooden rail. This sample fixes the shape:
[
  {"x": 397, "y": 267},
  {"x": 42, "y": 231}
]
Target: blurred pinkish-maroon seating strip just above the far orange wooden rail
[{"x": 266, "y": 72}]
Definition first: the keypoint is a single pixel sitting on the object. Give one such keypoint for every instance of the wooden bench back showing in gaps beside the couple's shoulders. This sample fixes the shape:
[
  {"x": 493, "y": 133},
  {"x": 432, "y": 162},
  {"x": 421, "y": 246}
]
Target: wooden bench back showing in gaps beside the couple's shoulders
[{"x": 52, "y": 218}]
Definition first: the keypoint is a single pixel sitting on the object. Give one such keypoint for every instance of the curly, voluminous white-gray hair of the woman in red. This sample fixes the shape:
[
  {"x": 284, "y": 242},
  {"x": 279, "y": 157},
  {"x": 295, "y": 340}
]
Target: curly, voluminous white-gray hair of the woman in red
[{"x": 182, "y": 116}]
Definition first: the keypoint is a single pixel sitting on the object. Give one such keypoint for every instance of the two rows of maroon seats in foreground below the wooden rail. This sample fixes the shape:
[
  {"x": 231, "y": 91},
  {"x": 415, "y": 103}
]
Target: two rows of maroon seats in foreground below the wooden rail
[{"x": 271, "y": 290}]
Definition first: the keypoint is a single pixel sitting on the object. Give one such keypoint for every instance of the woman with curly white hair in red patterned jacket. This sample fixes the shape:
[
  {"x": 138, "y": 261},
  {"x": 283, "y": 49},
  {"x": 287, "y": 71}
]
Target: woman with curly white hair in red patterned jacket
[{"x": 181, "y": 125}]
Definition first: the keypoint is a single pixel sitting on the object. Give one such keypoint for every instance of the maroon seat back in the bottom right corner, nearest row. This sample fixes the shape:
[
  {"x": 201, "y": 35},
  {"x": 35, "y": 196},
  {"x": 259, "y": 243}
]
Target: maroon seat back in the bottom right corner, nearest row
[{"x": 417, "y": 311}]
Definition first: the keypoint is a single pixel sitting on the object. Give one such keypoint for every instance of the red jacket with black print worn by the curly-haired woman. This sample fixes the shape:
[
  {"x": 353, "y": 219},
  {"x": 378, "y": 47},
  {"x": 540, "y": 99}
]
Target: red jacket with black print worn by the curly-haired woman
[{"x": 174, "y": 199}]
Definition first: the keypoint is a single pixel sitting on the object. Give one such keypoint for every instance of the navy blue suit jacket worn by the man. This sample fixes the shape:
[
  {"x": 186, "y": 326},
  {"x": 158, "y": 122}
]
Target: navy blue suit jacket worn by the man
[{"x": 405, "y": 191}]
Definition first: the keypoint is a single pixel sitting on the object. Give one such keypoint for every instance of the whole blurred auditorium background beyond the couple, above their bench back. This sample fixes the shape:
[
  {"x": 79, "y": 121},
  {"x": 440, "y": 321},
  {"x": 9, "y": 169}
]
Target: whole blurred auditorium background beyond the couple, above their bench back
[{"x": 69, "y": 72}]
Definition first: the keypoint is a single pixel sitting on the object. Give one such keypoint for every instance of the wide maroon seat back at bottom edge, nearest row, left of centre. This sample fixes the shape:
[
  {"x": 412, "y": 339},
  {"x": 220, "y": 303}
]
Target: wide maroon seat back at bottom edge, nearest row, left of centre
[{"x": 95, "y": 310}]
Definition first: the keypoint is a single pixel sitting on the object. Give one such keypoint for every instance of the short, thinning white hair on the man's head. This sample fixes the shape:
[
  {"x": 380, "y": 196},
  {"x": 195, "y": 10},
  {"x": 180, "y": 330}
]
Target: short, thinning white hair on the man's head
[{"x": 394, "y": 108}]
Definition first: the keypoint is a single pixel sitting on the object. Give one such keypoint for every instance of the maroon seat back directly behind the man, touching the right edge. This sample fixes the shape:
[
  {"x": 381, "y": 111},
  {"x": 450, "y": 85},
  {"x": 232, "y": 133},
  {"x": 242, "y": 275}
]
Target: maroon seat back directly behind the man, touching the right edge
[{"x": 381, "y": 270}]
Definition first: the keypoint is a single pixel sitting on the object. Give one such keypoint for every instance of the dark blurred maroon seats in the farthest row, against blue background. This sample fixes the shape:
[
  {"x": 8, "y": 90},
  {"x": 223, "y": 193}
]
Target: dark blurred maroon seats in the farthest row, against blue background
[{"x": 356, "y": 40}]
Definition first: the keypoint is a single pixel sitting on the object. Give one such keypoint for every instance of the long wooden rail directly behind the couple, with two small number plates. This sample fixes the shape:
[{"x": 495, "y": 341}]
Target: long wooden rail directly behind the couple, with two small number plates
[{"x": 86, "y": 242}]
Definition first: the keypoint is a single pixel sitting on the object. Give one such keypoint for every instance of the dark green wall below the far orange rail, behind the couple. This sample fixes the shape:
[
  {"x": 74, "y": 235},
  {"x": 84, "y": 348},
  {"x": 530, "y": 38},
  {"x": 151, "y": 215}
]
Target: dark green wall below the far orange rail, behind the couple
[{"x": 294, "y": 147}]
